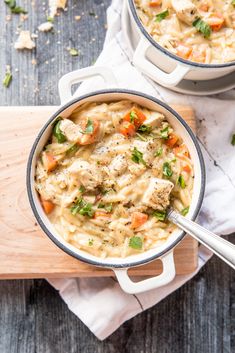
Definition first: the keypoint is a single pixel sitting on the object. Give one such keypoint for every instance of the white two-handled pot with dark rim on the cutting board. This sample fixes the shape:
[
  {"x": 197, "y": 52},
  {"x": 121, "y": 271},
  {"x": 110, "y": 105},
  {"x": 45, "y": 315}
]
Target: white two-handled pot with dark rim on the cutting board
[{"x": 119, "y": 265}]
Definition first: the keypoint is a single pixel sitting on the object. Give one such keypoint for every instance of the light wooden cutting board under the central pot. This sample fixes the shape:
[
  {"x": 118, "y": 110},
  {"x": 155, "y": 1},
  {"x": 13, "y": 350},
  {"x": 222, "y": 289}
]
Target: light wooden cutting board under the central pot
[{"x": 25, "y": 251}]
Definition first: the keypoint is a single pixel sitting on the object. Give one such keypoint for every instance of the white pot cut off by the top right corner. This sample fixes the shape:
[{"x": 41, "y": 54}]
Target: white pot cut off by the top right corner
[{"x": 163, "y": 66}]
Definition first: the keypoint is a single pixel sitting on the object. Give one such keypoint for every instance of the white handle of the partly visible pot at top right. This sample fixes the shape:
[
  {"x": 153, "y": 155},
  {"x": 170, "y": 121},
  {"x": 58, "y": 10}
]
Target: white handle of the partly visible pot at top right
[{"x": 140, "y": 60}]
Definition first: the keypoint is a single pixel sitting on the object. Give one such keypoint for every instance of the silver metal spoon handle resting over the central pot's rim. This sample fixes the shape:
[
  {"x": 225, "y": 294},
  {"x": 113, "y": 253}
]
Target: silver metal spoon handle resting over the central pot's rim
[{"x": 221, "y": 247}]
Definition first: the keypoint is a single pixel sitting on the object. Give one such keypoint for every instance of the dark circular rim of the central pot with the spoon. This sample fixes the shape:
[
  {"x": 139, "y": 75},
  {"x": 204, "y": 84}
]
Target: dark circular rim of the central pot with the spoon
[{"x": 30, "y": 187}]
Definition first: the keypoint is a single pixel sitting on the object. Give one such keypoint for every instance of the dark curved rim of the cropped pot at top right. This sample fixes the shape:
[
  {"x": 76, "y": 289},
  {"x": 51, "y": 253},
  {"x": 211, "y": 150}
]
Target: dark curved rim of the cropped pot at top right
[{"x": 167, "y": 52}]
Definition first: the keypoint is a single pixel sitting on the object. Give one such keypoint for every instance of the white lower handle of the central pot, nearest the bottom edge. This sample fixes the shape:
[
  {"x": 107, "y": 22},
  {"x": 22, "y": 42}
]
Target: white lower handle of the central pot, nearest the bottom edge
[{"x": 164, "y": 278}]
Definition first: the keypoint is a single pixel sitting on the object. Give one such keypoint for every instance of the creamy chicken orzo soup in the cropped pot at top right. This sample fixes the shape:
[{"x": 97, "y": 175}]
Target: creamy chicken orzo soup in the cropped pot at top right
[{"x": 196, "y": 30}]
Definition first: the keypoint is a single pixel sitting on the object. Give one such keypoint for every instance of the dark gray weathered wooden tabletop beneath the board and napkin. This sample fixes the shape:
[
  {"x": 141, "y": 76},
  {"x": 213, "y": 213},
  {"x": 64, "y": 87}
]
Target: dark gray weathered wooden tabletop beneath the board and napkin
[{"x": 198, "y": 318}]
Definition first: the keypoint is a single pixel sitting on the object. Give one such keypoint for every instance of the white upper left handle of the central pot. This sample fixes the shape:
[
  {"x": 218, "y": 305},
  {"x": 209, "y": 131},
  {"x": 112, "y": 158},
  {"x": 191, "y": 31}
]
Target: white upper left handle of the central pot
[{"x": 66, "y": 81}]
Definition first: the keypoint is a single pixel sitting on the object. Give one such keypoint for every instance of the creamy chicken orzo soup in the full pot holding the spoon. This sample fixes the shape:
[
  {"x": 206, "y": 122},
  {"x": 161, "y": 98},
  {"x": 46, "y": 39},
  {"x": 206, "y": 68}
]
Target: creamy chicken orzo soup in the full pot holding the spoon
[{"x": 108, "y": 174}]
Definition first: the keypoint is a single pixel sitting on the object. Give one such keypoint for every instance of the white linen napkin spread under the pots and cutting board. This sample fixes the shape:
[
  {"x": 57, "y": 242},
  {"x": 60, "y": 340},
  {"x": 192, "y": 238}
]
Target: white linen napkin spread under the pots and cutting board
[{"x": 99, "y": 302}]
